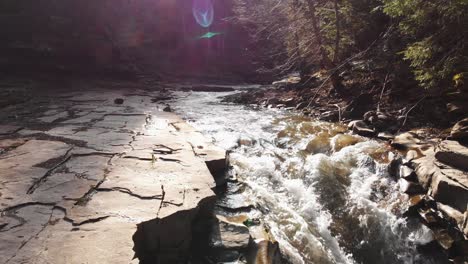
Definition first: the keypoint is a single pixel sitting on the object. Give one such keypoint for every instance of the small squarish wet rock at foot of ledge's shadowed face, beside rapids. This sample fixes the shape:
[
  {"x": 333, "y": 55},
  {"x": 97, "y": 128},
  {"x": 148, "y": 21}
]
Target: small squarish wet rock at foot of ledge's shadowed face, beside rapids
[{"x": 228, "y": 236}]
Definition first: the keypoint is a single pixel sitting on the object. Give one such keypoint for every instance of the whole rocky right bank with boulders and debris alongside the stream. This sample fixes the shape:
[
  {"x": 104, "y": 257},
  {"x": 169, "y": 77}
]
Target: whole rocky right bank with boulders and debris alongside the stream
[{"x": 429, "y": 161}]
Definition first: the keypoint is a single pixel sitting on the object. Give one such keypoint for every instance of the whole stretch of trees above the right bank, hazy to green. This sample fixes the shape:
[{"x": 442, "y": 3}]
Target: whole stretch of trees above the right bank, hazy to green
[{"x": 426, "y": 37}]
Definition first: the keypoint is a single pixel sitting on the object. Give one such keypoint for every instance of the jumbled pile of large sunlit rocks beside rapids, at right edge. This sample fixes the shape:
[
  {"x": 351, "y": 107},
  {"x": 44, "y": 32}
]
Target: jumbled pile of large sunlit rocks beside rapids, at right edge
[{"x": 437, "y": 169}]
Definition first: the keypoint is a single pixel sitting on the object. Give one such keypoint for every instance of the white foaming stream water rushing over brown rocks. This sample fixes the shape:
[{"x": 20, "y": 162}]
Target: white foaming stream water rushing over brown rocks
[{"x": 324, "y": 194}]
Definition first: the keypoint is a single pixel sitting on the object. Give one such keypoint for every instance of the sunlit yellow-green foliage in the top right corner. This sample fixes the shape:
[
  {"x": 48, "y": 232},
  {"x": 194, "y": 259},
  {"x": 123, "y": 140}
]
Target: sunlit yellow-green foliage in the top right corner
[{"x": 435, "y": 32}]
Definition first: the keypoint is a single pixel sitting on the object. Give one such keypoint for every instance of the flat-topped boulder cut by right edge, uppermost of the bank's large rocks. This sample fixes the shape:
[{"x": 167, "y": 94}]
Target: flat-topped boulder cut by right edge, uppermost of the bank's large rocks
[{"x": 453, "y": 153}]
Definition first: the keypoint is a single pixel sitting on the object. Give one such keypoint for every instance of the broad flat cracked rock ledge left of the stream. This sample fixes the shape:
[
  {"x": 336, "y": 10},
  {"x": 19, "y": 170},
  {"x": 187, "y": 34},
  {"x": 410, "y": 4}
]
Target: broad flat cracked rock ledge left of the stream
[{"x": 84, "y": 179}]
